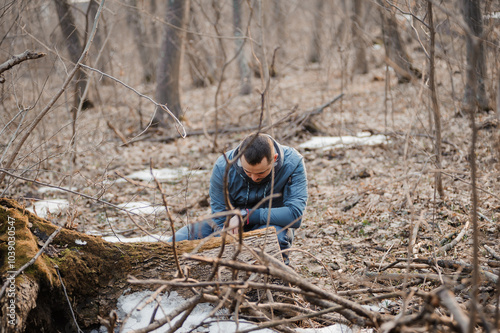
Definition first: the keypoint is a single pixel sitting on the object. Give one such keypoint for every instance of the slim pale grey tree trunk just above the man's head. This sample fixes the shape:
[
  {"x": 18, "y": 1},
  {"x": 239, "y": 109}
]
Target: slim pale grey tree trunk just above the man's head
[{"x": 244, "y": 70}]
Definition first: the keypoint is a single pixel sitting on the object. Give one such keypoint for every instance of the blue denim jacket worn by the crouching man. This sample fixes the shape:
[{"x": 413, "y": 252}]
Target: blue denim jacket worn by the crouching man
[{"x": 289, "y": 180}]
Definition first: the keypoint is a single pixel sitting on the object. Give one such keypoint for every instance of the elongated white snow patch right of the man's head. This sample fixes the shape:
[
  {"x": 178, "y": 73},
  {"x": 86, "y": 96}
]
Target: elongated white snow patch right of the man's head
[{"x": 361, "y": 139}]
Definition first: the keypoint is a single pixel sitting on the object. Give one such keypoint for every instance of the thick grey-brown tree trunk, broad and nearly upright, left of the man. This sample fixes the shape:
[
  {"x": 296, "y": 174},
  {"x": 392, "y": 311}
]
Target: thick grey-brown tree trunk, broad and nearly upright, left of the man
[{"x": 168, "y": 73}]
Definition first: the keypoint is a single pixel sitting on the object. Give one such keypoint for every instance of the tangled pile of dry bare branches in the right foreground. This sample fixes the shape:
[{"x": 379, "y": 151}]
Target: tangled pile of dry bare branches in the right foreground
[{"x": 415, "y": 299}]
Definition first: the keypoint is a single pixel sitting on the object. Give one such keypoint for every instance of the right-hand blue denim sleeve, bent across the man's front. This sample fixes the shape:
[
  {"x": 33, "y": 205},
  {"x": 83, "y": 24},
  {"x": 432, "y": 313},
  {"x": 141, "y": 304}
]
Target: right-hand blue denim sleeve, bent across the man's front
[{"x": 294, "y": 201}]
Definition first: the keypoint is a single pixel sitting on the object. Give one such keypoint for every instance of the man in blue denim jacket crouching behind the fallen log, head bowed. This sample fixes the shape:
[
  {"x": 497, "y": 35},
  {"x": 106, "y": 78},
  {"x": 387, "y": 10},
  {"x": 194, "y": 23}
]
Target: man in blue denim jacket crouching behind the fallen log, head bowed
[{"x": 250, "y": 180}]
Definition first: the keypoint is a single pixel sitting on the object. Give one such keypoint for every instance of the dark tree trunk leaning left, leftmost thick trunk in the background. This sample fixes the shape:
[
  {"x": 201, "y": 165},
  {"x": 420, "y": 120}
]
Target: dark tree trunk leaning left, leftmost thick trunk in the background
[{"x": 73, "y": 44}]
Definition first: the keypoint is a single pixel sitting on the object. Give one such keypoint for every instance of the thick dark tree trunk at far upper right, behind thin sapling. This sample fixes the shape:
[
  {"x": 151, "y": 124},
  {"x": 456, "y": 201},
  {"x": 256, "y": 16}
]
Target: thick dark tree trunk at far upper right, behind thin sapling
[{"x": 473, "y": 18}]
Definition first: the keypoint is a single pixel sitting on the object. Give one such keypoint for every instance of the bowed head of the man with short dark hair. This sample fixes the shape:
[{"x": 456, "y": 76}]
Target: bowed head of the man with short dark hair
[{"x": 258, "y": 157}]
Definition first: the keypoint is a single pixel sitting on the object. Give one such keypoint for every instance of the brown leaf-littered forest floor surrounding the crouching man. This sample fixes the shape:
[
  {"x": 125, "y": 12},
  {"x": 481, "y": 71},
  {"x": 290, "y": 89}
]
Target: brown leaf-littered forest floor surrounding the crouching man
[{"x": 366, "y": 205}]
